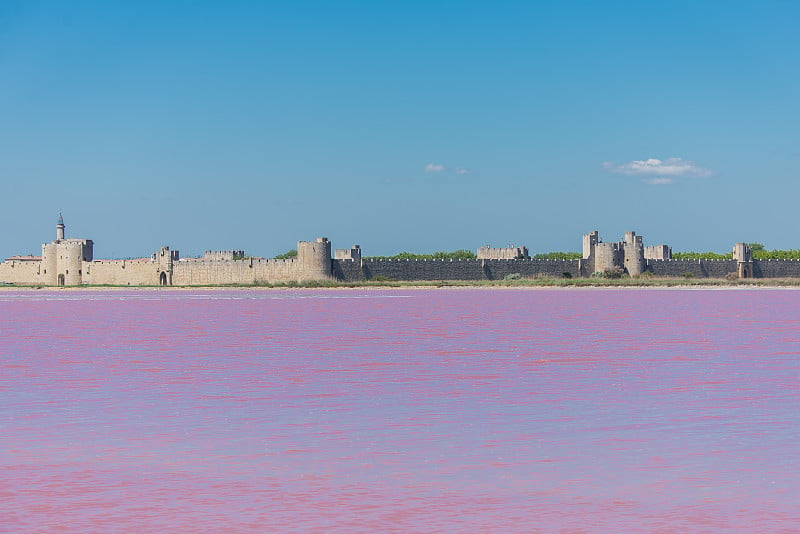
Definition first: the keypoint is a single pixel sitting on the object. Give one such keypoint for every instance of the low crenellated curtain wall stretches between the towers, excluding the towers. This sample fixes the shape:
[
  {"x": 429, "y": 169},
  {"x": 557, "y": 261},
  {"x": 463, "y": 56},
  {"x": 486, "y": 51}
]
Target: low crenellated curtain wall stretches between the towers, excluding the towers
[{"x": 199, "y": 272}]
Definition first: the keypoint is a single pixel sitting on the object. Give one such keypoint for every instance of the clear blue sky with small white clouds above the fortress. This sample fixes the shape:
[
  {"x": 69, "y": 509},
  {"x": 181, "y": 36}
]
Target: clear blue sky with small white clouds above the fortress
[{"x": 417, "y": 126}]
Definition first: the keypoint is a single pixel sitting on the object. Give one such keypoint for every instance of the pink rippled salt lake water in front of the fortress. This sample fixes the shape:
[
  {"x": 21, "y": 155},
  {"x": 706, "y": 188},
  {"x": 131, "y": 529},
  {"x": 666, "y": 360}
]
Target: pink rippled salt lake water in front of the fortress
[{"x": 400, "y": 411}]
